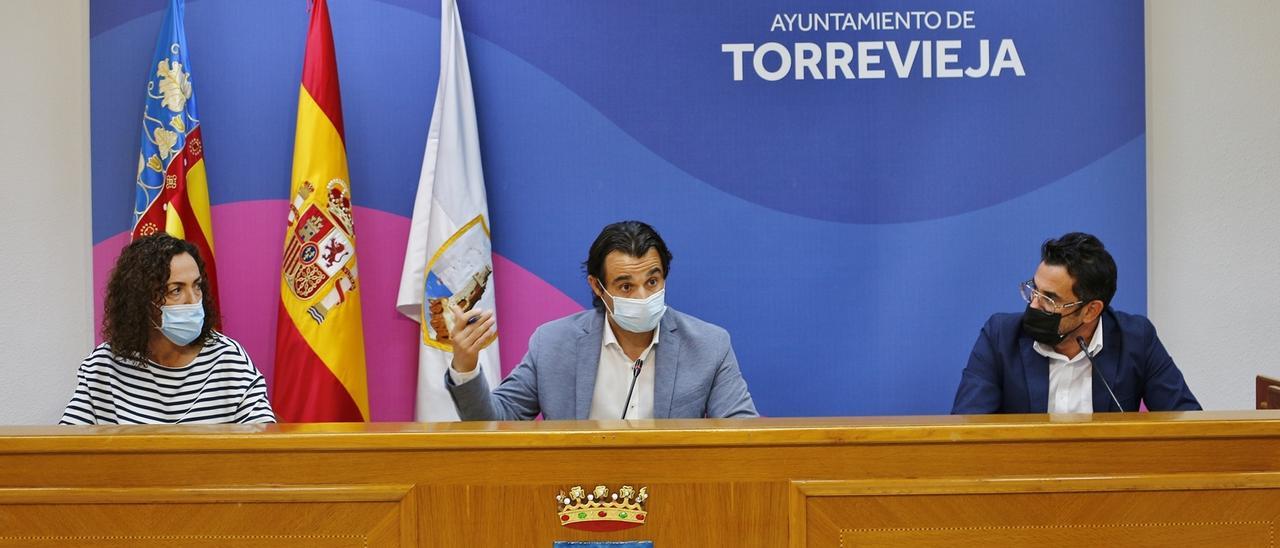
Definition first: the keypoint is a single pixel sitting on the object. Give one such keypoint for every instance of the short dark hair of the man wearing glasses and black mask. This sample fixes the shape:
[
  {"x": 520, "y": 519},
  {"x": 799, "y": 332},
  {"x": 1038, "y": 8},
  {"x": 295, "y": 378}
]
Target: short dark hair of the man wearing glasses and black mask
[{"x": 1089, "y": 264}]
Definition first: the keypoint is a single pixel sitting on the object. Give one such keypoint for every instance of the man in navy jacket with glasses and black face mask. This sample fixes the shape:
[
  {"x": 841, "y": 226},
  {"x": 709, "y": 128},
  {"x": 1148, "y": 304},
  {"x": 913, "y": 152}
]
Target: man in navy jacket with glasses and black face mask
[{"x": 1036, "y": 362}]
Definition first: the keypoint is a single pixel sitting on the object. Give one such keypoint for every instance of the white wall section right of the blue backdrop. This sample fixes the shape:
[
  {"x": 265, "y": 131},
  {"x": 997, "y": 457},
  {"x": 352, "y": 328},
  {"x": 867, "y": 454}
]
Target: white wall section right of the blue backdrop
[{"x": 1214, "y": 191}]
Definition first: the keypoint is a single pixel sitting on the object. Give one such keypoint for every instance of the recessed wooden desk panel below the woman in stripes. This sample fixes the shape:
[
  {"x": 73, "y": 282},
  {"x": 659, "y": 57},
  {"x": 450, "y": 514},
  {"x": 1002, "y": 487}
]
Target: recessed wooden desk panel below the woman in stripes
[{"x": 259, "y": 517}]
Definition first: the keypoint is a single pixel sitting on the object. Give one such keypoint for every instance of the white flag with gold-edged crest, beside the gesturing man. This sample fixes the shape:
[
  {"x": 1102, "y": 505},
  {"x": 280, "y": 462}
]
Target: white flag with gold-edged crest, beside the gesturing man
[{"x": 449, "y": 258}]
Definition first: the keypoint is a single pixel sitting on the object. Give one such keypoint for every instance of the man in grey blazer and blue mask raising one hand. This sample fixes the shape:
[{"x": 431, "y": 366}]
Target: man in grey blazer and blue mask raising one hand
[{"x": 628, "y": 358}]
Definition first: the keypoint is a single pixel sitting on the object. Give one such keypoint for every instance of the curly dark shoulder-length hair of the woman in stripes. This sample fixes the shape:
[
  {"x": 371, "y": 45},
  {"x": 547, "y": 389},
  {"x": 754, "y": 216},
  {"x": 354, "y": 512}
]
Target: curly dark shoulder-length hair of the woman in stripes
[{"x": 138, "y": 286}]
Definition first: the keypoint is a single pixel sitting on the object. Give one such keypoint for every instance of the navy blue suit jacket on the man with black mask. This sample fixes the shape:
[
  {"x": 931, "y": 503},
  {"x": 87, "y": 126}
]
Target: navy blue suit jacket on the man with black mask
[{"x": 1007, "y": 376}]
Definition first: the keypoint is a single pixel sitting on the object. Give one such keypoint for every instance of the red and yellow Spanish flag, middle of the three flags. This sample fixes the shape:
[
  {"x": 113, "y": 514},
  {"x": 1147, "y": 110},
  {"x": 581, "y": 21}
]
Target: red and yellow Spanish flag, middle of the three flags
[{"x": 319, "y": 342}]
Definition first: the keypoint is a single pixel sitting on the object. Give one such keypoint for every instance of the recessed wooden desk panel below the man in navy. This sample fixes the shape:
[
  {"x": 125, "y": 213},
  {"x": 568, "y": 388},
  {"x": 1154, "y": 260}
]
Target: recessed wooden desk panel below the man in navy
[{"x": 1238, "y": 510}]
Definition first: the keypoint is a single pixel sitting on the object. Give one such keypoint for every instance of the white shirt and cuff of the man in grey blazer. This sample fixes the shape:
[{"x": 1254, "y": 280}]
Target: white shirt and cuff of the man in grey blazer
[{"x": 612, "y": 380}]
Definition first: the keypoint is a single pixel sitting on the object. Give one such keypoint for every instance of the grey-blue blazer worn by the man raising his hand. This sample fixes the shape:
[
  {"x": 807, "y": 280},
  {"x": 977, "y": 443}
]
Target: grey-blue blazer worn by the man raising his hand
[{"x": 697, "y": 375}]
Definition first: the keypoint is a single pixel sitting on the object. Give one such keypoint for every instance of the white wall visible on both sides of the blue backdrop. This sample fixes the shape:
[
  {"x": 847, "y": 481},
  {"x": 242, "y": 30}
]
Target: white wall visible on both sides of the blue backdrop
[{"x": 1214, "y": 191}]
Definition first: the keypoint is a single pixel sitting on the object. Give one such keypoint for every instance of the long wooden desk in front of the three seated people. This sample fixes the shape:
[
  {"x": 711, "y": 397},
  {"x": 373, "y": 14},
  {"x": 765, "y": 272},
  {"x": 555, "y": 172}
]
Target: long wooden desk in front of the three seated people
[{"x": 1133, "y": 479}]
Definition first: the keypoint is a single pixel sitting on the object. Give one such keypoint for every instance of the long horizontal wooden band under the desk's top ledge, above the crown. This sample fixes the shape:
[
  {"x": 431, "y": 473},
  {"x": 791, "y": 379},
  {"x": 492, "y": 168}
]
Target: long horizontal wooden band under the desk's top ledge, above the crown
[{"x": 671, "y": 465}]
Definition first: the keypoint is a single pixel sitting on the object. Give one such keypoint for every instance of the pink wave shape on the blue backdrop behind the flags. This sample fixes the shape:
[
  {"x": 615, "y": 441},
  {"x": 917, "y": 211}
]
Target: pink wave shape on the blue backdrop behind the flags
[{"x": 249, "y": 239}]
